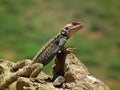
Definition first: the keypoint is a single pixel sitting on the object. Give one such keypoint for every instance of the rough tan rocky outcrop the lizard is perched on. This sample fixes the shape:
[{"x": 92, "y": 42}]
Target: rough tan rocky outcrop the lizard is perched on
[{"x": 76, "y": 77}]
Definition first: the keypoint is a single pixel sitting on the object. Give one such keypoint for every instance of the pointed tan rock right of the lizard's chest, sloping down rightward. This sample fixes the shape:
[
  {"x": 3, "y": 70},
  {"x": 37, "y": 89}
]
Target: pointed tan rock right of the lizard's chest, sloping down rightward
[{"x": 78, "y": 78}]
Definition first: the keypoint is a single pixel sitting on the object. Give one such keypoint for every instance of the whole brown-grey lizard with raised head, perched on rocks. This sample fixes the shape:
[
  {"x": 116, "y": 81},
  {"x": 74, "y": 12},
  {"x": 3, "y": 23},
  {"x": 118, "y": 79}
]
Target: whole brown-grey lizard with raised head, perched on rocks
[{"x": 45, "y": 55}]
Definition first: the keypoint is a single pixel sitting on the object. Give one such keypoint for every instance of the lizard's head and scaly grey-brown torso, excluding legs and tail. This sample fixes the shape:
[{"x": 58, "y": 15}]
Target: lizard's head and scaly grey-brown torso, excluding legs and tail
[{"x": 50, "y": 49}]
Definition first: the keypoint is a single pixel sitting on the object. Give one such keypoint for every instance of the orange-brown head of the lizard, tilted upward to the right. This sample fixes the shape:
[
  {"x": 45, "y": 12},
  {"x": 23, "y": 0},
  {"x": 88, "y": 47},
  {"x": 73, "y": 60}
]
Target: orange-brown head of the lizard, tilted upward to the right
[{"x": 71, "y": 28}]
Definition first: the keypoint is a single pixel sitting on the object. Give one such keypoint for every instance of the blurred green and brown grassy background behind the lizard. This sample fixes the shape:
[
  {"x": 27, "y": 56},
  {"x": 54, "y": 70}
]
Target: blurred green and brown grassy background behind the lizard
[{"x": 25, "y": 25}]
